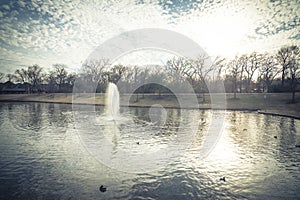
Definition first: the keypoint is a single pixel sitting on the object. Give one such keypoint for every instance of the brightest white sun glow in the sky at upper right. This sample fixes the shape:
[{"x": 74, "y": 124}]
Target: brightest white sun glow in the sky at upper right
[{"x": 223, "y": 32}]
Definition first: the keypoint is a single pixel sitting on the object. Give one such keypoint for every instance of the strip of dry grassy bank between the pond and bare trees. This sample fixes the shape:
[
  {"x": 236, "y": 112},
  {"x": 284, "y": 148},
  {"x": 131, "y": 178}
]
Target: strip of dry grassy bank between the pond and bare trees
[{"x": 269, "y": 103}]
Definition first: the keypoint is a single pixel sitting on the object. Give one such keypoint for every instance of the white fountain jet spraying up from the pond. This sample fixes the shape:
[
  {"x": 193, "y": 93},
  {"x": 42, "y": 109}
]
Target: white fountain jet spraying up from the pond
[{"x": 112, "y": 101}]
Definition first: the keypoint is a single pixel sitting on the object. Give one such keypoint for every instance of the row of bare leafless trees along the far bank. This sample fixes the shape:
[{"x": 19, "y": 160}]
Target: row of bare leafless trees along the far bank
[{"x": 254, "y": 72}]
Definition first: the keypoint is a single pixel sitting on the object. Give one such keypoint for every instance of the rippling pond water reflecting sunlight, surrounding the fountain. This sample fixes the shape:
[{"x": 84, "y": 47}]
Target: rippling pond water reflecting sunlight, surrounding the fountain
[{"x": 45, "y": 154}]
